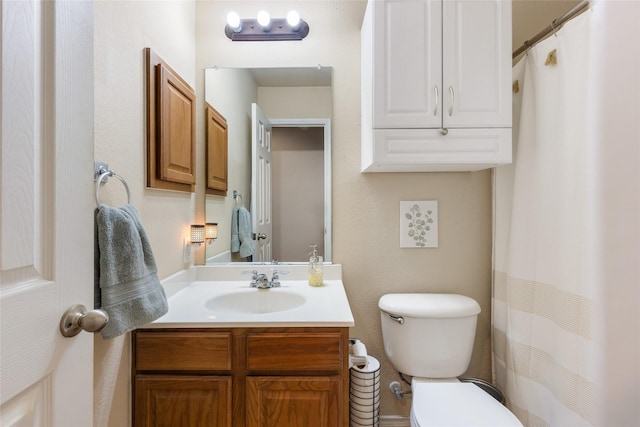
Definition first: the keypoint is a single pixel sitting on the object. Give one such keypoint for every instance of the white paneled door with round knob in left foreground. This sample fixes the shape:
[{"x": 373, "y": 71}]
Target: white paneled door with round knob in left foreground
[{"x": 46, "y": 221}]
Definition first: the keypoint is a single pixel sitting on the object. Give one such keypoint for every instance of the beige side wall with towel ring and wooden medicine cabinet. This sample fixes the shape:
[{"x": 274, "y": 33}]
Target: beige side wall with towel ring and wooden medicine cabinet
[{"x": 122, "y": 30}]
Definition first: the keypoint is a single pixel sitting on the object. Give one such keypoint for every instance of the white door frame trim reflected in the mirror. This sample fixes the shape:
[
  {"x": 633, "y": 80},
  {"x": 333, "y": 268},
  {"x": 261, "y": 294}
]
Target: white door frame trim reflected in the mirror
[{"x": 326, "y": 124}]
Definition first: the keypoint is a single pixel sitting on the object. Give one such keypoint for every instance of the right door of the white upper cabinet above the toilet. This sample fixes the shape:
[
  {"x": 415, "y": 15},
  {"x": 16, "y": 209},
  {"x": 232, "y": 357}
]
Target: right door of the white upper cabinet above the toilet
[{"x": 476, "y": 63}]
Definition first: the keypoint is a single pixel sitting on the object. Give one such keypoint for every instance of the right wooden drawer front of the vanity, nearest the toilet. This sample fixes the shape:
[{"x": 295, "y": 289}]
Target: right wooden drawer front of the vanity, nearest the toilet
[{"x": 295, "y": 351}]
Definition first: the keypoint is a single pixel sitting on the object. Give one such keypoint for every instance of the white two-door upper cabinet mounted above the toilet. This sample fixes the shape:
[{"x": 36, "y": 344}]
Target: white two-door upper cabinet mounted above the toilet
[{"x": 436, "y": 70}]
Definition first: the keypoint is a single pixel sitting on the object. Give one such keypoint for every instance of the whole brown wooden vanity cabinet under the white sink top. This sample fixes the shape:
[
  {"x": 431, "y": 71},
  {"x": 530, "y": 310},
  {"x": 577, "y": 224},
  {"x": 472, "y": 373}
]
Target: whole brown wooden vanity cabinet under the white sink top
[{"x": 241, "y": 377}]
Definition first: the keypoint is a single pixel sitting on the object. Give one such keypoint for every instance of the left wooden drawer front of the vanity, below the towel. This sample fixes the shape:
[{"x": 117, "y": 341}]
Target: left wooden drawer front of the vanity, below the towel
[{"x": 182, "y": 351}]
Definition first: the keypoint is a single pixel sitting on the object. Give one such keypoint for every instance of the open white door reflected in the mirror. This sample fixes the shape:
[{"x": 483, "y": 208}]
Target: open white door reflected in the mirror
[{"x": 261, "y": 184}]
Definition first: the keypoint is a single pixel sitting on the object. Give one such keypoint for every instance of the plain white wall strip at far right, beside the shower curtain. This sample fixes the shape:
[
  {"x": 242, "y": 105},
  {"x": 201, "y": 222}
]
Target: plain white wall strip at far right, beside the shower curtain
[{"x": 619, "y": 209}]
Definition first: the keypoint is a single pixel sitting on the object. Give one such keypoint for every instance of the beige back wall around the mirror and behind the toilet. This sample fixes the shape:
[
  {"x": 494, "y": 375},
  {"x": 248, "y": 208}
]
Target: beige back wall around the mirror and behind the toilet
[{"x": 366, "y": 207}]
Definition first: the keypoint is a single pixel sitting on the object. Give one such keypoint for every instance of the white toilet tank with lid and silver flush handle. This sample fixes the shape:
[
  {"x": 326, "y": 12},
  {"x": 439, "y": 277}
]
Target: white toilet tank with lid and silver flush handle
[{"x": 429, "y": 335}]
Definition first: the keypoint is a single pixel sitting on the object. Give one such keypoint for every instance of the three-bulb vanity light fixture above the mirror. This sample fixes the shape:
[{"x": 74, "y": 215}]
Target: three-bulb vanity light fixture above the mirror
[{"x": 265, "y": 28}]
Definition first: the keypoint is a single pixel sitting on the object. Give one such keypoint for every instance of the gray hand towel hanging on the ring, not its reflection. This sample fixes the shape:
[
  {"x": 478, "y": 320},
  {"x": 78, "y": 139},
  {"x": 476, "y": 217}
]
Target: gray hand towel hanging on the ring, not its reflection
[{"x": 127, "y": 280}]
